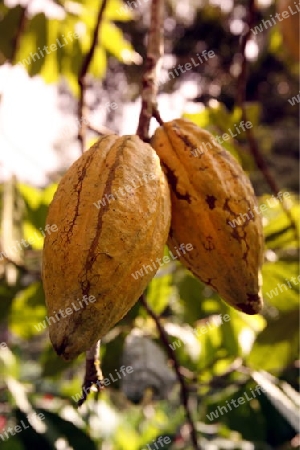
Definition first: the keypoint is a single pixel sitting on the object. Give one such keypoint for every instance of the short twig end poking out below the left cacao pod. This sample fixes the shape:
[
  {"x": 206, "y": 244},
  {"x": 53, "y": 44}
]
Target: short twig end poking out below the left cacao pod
[{"x": 93, "y": 375}]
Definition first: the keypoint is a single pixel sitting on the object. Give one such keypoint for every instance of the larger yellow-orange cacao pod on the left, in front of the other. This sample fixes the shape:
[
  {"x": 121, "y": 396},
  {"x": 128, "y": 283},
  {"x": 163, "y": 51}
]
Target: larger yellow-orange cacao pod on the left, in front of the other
[{"x": 112, "y": 211}]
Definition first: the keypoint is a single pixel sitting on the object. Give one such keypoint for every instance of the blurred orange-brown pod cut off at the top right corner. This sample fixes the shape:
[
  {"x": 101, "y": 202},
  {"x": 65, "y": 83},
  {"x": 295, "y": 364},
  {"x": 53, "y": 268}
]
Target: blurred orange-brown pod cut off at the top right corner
[{"x": 290, "y": 26}]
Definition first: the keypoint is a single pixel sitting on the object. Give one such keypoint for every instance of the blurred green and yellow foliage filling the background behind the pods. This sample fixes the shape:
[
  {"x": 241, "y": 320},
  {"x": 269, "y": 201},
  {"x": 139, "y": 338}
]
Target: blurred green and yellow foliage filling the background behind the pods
[{"x": 219, "y": 362}]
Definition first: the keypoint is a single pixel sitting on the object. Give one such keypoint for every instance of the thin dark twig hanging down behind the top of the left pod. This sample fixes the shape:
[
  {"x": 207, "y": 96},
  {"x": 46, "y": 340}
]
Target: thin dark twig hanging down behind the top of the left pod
[{"x": 82, "y": 76}]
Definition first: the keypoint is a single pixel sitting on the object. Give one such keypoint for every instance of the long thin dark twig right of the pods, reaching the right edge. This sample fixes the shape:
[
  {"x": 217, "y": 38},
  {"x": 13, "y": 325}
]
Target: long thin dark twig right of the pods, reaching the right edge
[{"x": 241, "y": 101}]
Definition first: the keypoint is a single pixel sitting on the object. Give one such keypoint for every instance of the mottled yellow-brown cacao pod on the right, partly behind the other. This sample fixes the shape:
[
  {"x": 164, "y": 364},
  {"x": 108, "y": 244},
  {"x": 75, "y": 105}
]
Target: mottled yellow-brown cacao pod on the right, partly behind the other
[{"x": 209, "y": 190}]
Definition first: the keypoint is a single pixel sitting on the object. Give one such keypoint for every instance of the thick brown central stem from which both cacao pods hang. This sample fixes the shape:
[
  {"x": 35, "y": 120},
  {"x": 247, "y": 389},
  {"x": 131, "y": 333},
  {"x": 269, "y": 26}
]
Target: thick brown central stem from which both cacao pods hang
[{"x": 152, "y": 66}]
